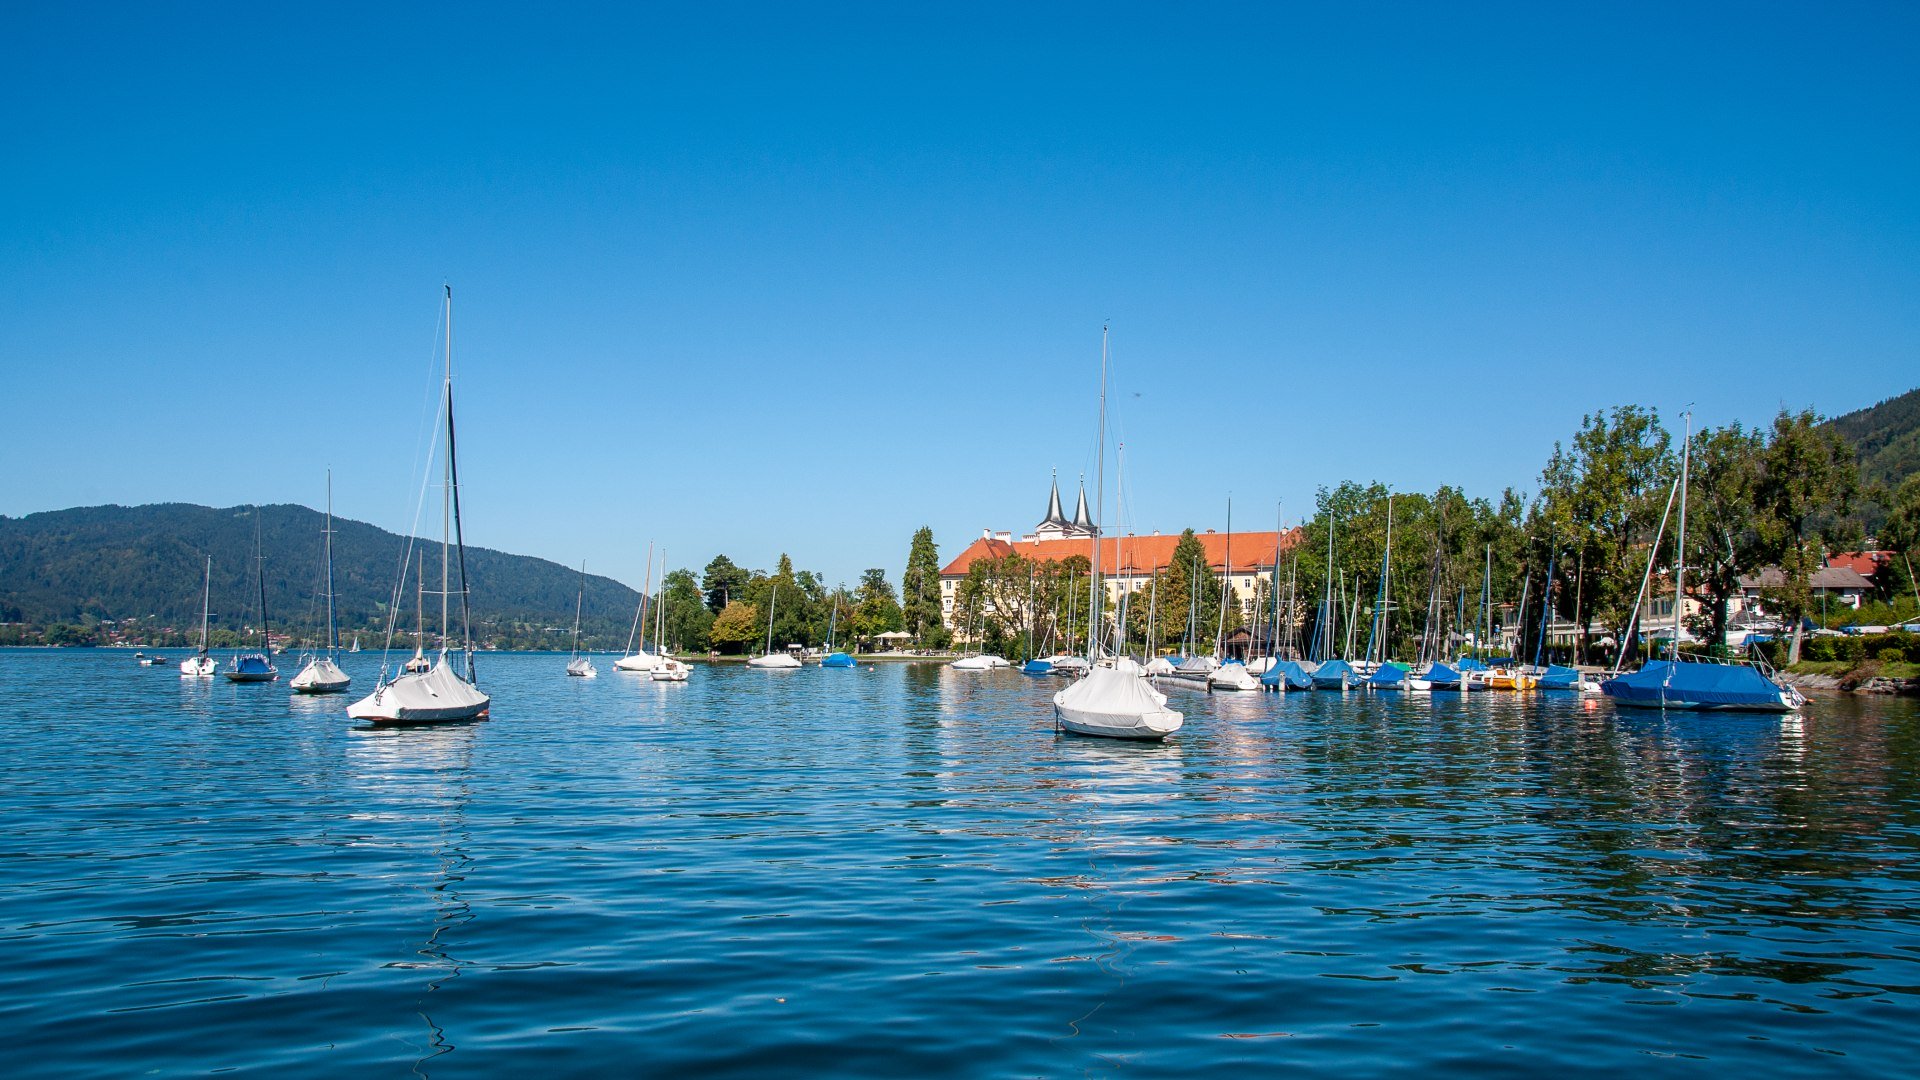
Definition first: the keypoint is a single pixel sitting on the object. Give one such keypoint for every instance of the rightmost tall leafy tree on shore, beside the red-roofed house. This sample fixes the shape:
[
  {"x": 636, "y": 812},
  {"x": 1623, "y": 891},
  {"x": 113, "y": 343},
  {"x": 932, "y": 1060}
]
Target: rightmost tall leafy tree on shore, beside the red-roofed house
[{"x": 1806, "y": 487}]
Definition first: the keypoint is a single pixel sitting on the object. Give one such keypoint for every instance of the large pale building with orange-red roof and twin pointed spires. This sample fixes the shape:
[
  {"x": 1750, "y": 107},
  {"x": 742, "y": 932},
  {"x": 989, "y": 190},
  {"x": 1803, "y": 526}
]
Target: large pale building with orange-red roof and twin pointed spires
[{"x": 1128, "y": 564}]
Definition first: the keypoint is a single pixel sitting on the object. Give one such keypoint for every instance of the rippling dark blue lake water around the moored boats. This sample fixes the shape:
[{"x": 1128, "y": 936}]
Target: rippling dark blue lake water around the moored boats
[{"x": 909, "y": 873}]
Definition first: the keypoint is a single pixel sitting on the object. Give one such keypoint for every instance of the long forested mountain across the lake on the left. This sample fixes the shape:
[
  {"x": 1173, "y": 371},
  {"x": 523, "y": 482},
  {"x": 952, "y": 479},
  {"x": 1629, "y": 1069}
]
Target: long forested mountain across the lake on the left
[{"x": 114, "y": 562}]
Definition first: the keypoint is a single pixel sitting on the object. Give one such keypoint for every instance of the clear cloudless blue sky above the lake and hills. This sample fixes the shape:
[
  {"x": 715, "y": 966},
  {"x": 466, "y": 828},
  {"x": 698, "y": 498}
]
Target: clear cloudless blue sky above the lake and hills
[{"x": 765, "y": 280}]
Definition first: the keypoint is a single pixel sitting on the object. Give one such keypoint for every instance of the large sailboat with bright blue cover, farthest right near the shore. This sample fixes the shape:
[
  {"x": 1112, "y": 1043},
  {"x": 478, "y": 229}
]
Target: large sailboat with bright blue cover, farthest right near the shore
[{"x": 1677, "y": 683}]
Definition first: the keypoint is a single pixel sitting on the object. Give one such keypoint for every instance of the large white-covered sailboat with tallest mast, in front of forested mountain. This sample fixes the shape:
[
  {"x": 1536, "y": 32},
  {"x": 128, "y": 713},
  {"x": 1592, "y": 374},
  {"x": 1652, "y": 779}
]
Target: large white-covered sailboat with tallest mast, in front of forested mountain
[{"x": 441, "y": 695}]
